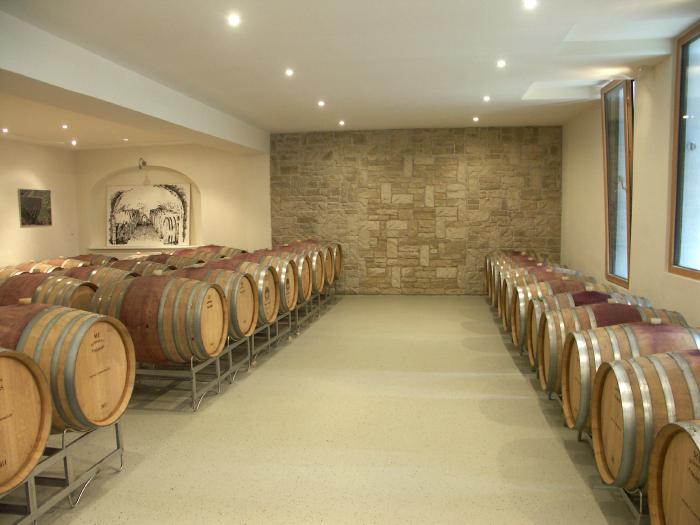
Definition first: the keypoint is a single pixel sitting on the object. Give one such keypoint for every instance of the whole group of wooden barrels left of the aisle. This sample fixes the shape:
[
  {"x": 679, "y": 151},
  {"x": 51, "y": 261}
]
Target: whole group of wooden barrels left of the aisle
[{"x": 70, "y": 339}]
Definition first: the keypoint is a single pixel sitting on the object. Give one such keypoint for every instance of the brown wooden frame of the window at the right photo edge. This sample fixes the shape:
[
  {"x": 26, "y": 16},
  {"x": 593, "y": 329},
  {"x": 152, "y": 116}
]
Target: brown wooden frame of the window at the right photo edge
[{"x": 690, "y": 35}]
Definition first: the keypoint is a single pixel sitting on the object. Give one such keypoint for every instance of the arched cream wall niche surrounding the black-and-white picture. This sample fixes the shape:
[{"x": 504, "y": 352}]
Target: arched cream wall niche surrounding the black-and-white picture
[{"x": 146, "y": 176}]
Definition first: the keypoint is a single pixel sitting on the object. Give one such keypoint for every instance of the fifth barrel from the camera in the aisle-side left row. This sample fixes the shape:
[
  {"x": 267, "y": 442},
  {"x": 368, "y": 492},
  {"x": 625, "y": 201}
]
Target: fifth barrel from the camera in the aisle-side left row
[{"x": 266, "y": 282}]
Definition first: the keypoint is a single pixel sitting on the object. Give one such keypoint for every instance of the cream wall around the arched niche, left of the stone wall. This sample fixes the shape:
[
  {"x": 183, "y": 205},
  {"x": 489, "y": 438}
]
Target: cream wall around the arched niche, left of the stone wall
[{"x": 230, "y": 194}]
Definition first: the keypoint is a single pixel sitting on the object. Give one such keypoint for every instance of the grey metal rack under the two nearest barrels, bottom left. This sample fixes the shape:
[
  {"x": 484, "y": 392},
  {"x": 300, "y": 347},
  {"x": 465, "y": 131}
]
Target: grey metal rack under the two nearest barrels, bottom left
[{"x": 44, "y": 488}]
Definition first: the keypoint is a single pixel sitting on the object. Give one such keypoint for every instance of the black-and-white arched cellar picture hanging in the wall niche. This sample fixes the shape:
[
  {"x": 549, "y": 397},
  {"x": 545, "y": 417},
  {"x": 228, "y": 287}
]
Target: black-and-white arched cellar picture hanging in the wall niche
[{"x": 146, "y": 216}]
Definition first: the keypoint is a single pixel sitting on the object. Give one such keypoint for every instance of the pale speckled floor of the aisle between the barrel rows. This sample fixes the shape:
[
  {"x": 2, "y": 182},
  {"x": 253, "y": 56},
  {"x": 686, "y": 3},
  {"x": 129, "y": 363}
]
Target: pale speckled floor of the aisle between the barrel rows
[{"x": 386, "y": 410}]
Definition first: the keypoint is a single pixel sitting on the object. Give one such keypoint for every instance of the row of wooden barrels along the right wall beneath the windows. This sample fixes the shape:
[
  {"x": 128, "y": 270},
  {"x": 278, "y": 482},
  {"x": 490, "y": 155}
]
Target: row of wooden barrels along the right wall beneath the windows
[{"x": 627, "y": 373}]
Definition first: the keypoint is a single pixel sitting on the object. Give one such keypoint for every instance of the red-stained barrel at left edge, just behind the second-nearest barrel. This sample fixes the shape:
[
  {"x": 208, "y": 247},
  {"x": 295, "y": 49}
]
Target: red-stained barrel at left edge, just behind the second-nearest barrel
[{"x": 47, "y": 289}]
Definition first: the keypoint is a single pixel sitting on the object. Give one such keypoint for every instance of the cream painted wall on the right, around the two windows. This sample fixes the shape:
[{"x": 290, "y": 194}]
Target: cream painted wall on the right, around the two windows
[{"x": 583, "y": 226}]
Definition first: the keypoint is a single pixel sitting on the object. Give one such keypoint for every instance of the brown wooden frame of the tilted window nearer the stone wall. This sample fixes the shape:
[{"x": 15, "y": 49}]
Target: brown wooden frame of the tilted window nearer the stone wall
[{"x": 629, "y": 144}]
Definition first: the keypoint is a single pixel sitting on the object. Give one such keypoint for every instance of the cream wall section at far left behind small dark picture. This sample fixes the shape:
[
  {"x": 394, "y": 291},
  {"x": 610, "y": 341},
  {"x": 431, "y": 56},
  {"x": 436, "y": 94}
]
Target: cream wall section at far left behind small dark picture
[{"x": 37, "y": 167}]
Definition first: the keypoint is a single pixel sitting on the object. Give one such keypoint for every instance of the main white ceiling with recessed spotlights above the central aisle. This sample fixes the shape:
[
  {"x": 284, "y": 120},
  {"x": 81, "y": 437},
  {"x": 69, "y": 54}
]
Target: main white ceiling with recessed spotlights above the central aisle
[{"x": 377, "y": 63}]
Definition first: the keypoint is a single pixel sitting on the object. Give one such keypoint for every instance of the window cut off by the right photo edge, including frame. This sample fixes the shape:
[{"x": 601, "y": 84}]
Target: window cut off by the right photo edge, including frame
[{"x": 685, "y": 253}]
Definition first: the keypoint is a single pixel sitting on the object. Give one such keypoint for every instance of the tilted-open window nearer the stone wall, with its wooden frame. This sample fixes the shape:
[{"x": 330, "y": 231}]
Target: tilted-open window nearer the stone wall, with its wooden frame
[{"x": 617, "y": 141}]
